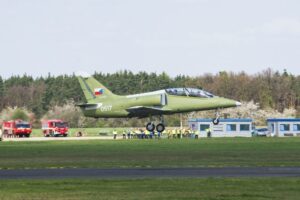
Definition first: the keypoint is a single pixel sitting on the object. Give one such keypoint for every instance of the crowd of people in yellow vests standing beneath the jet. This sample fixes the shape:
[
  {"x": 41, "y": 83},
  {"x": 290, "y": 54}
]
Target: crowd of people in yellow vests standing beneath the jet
[{"x": 145, "y": 134}]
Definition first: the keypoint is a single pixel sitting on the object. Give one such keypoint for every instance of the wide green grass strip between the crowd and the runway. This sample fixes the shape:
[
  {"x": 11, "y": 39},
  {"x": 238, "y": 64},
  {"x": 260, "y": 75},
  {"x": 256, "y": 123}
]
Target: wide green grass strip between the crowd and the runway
[{"x": 211, "y": 152}]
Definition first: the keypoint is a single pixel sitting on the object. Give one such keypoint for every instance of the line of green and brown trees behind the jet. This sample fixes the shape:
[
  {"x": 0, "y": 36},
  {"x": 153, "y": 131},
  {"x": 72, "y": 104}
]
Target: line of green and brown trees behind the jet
[{"x": 270, "y": 89}]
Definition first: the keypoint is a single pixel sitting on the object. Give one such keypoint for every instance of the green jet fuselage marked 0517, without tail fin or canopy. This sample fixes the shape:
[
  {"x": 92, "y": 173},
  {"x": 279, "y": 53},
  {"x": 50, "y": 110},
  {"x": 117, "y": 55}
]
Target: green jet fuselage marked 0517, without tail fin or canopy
[{"x": 118, "y": 107}]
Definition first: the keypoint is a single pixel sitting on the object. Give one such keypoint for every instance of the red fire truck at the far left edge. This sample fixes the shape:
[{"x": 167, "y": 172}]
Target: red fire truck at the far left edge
[{"x": 17, "y": 128}]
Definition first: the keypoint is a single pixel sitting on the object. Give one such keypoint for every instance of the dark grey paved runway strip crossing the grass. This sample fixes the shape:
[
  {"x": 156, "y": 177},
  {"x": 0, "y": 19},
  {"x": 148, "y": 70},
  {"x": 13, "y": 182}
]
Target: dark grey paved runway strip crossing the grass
[{"x": 151, "y": 173}]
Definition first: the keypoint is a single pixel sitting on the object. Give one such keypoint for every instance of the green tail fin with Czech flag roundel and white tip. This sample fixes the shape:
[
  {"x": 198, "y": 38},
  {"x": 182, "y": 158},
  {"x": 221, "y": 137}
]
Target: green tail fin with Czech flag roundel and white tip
[{"x": 93, "y": 89}]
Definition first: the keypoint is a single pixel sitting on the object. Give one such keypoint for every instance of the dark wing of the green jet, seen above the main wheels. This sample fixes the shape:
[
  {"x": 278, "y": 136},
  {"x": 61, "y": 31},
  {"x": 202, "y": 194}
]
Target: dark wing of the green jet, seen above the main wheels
[{"x": 144, "y": 111}]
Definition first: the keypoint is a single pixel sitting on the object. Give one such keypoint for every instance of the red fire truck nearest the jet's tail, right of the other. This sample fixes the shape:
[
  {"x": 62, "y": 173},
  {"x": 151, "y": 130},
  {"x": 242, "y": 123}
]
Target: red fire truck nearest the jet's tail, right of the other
[{"x": 54, "y": 128}]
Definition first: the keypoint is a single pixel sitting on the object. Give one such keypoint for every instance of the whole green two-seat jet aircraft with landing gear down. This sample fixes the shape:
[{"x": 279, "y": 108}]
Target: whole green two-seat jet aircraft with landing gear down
[{"x": 102, "y": 103}]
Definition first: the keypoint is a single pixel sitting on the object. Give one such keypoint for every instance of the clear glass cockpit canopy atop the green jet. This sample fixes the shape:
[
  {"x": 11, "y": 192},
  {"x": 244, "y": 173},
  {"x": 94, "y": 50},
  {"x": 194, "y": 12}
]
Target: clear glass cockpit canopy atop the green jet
[{"x": 191, "y": 92}]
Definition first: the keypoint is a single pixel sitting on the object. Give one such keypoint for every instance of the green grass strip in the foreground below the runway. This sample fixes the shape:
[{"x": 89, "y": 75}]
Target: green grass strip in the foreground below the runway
[{"x": 206, "y": 189}]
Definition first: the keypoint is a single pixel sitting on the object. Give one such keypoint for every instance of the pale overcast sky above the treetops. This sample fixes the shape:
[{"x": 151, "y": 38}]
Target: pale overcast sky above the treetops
[{"x": 176, "y": 36}]
